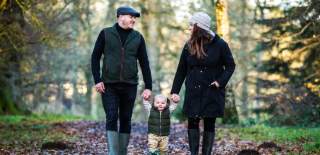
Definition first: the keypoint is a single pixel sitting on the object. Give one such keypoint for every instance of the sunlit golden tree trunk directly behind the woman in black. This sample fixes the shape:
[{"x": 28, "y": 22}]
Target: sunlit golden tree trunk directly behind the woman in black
[{"x": 231, "y": 114}]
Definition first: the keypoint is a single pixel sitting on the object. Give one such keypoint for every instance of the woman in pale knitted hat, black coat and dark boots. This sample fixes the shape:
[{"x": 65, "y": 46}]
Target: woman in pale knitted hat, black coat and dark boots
[{"x": 206, "y": 64}]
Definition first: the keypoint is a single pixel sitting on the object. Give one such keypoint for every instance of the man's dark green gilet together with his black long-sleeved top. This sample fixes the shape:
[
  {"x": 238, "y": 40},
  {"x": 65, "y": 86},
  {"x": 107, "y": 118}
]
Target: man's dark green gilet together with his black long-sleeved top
[{"x": 121, "y": 49}]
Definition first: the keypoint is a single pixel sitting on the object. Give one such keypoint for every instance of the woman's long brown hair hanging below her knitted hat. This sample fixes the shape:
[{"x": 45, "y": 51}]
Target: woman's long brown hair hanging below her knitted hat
[{"x": 199, "y": 37}]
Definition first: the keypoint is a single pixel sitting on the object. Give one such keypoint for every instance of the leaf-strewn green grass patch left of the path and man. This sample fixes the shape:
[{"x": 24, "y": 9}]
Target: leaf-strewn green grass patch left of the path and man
[{"x": 19, "y": 131}]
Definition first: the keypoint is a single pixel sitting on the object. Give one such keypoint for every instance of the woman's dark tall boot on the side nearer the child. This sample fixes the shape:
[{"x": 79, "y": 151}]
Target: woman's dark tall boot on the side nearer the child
[{"x": 194, "y": 138}]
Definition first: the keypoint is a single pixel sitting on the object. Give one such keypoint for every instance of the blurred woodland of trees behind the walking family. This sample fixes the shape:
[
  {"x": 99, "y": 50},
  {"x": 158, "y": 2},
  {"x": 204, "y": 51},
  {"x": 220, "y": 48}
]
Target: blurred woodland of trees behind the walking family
[{"x": 46, "y": 46}]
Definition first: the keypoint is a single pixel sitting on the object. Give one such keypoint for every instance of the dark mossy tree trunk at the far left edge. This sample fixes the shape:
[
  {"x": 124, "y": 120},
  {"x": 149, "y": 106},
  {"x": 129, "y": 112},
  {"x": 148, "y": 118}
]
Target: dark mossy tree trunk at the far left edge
[{"x": 11, "y": 17}]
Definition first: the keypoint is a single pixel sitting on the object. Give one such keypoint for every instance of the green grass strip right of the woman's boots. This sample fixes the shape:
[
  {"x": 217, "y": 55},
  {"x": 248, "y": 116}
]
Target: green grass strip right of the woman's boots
[{"x": 308, "y": 138}]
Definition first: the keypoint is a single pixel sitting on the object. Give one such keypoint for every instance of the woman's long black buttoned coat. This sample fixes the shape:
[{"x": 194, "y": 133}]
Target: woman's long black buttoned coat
[{"x": 202, "y": 100}]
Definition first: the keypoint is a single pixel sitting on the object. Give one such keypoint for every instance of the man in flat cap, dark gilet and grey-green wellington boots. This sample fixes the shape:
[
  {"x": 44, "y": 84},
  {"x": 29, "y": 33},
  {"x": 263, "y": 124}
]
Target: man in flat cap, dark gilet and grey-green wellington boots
[{"x": 121, "y": 47}]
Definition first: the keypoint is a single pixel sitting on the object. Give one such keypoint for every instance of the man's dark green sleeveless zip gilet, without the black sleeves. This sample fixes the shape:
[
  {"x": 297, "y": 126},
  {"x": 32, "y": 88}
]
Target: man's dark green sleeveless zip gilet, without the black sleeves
[{"x": 120, "y": 61}]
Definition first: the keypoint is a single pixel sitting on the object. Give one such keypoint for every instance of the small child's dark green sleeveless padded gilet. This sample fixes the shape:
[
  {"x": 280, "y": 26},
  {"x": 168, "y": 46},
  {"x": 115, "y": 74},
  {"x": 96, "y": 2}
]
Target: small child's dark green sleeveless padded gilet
[{"x": 159, "y": 122}]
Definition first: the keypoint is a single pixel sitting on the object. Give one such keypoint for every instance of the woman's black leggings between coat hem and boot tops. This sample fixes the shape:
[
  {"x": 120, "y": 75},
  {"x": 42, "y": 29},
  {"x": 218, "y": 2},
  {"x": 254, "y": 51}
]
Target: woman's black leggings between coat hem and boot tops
[{"x": 209, "y": 123}]
